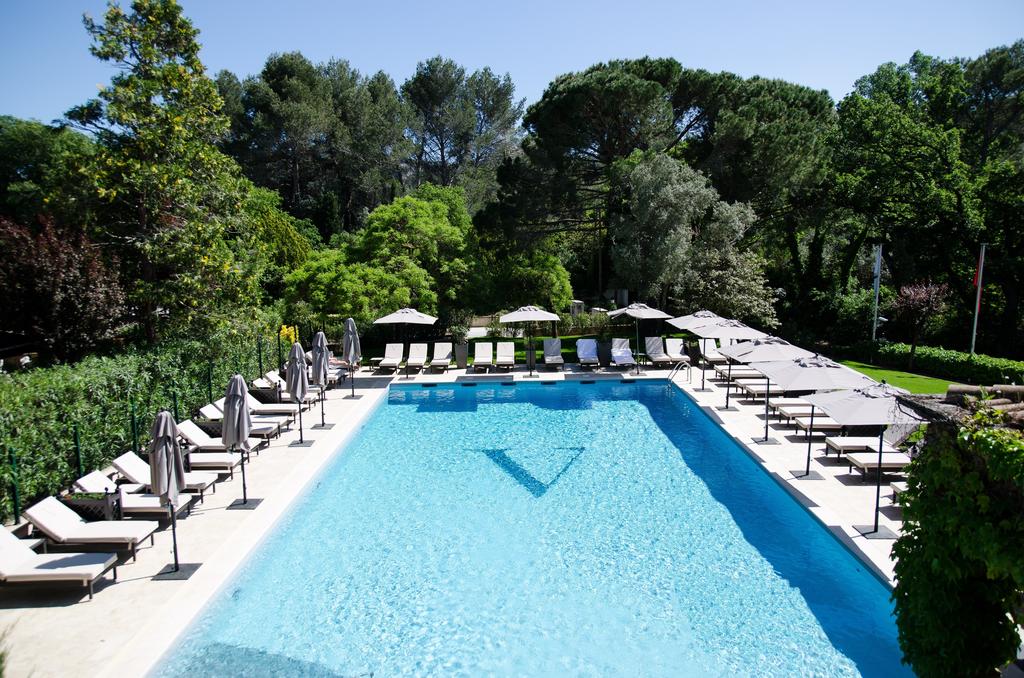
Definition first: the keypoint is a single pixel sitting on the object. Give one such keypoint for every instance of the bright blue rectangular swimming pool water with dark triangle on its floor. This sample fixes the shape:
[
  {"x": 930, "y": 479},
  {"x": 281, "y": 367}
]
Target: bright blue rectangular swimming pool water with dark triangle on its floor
[{"x": 601, "y": 530}]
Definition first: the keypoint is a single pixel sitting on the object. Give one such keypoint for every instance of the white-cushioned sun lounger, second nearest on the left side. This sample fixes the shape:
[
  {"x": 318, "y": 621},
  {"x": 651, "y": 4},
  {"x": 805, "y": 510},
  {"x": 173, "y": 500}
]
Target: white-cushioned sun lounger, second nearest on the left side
[{"x": 63, "y": 526}]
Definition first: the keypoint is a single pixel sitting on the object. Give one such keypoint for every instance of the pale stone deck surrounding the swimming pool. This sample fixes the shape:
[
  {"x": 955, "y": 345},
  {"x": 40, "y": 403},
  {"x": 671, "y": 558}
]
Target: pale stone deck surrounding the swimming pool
[{"x": 130, "y": 624}]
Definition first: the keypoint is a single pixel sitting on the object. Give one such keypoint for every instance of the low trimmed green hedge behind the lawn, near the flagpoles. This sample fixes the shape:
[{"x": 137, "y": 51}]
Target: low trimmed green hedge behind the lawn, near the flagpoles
[{"x": 952, "y": 365}]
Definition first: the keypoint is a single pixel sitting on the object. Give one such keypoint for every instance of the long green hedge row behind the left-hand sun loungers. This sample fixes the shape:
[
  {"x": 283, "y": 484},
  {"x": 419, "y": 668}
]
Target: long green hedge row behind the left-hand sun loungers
[{"x": 41, "y": 408}]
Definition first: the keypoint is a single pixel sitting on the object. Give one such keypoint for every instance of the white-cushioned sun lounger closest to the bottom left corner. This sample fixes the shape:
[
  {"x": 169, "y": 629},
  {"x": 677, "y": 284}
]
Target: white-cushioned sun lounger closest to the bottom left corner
[{"x": 19, "y": 564}]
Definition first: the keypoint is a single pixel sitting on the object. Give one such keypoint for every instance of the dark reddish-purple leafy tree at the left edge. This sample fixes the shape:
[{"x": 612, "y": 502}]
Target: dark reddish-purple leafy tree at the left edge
[{"x": 59, "y": 294}]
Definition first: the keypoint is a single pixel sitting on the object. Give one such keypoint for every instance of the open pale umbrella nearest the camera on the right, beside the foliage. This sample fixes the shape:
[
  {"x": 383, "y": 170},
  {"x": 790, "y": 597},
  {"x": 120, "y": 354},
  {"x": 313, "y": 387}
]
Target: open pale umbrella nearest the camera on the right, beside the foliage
[{"x": 875, "y": 405}]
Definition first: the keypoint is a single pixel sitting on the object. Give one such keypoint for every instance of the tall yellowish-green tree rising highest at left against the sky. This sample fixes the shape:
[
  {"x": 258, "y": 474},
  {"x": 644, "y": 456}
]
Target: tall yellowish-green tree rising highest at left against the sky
[{"x": 170, "y": 197}]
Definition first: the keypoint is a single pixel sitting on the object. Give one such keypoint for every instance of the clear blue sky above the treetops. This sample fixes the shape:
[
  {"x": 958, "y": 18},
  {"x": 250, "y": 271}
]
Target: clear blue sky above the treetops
[{"x": 826, "y": 45}]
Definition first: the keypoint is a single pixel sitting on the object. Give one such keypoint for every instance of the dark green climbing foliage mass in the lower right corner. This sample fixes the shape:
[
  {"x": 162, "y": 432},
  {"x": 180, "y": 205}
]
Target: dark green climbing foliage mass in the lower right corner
[{"x": 960, "y": 565}]
